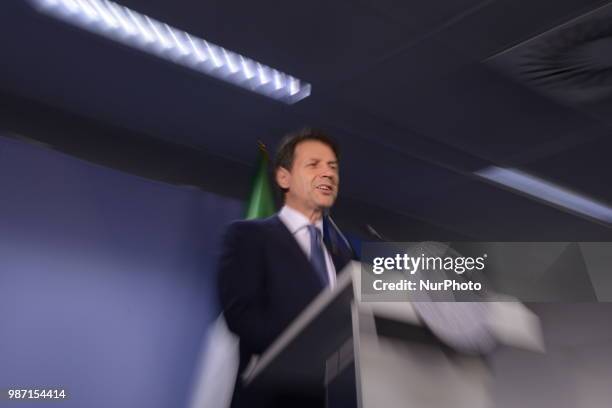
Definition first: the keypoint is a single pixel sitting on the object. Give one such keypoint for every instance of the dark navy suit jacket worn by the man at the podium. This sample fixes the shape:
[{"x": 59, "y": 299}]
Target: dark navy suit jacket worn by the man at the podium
[{"x": 265, "y": 280}]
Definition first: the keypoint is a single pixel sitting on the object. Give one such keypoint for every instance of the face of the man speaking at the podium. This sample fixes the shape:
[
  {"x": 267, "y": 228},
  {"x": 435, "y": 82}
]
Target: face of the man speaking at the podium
[{"x": 312, "y": 182}]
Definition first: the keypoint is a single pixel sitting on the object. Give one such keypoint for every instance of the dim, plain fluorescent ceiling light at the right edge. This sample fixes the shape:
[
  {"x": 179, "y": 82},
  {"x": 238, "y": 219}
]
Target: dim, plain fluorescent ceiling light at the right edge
[{"x": 547, "y": 191}]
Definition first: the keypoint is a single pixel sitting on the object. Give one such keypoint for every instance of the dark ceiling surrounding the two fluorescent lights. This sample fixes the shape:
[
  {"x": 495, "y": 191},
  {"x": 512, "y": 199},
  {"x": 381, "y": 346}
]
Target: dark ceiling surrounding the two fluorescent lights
[{"x": 419, "y": 95}]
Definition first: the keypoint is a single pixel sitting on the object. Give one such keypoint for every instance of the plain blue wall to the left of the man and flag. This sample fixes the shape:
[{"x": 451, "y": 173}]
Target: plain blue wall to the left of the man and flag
[{"x": 106, "y": 279}]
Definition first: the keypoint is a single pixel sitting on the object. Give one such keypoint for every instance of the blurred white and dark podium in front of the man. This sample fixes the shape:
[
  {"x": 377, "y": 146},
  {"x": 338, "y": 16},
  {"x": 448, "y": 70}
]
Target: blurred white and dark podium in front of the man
[{"x": 376, "y": 354}]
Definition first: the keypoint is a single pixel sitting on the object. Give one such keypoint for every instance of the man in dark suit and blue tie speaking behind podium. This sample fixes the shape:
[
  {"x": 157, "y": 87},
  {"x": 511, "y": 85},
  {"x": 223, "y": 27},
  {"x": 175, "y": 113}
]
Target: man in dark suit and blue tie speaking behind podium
[{"x": 271, "y": 269}]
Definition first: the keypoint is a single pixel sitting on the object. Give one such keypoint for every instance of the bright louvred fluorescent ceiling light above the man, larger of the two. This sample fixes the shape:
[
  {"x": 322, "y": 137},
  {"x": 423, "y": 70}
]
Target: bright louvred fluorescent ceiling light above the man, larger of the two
[{"x": 139, "y": 31}]
